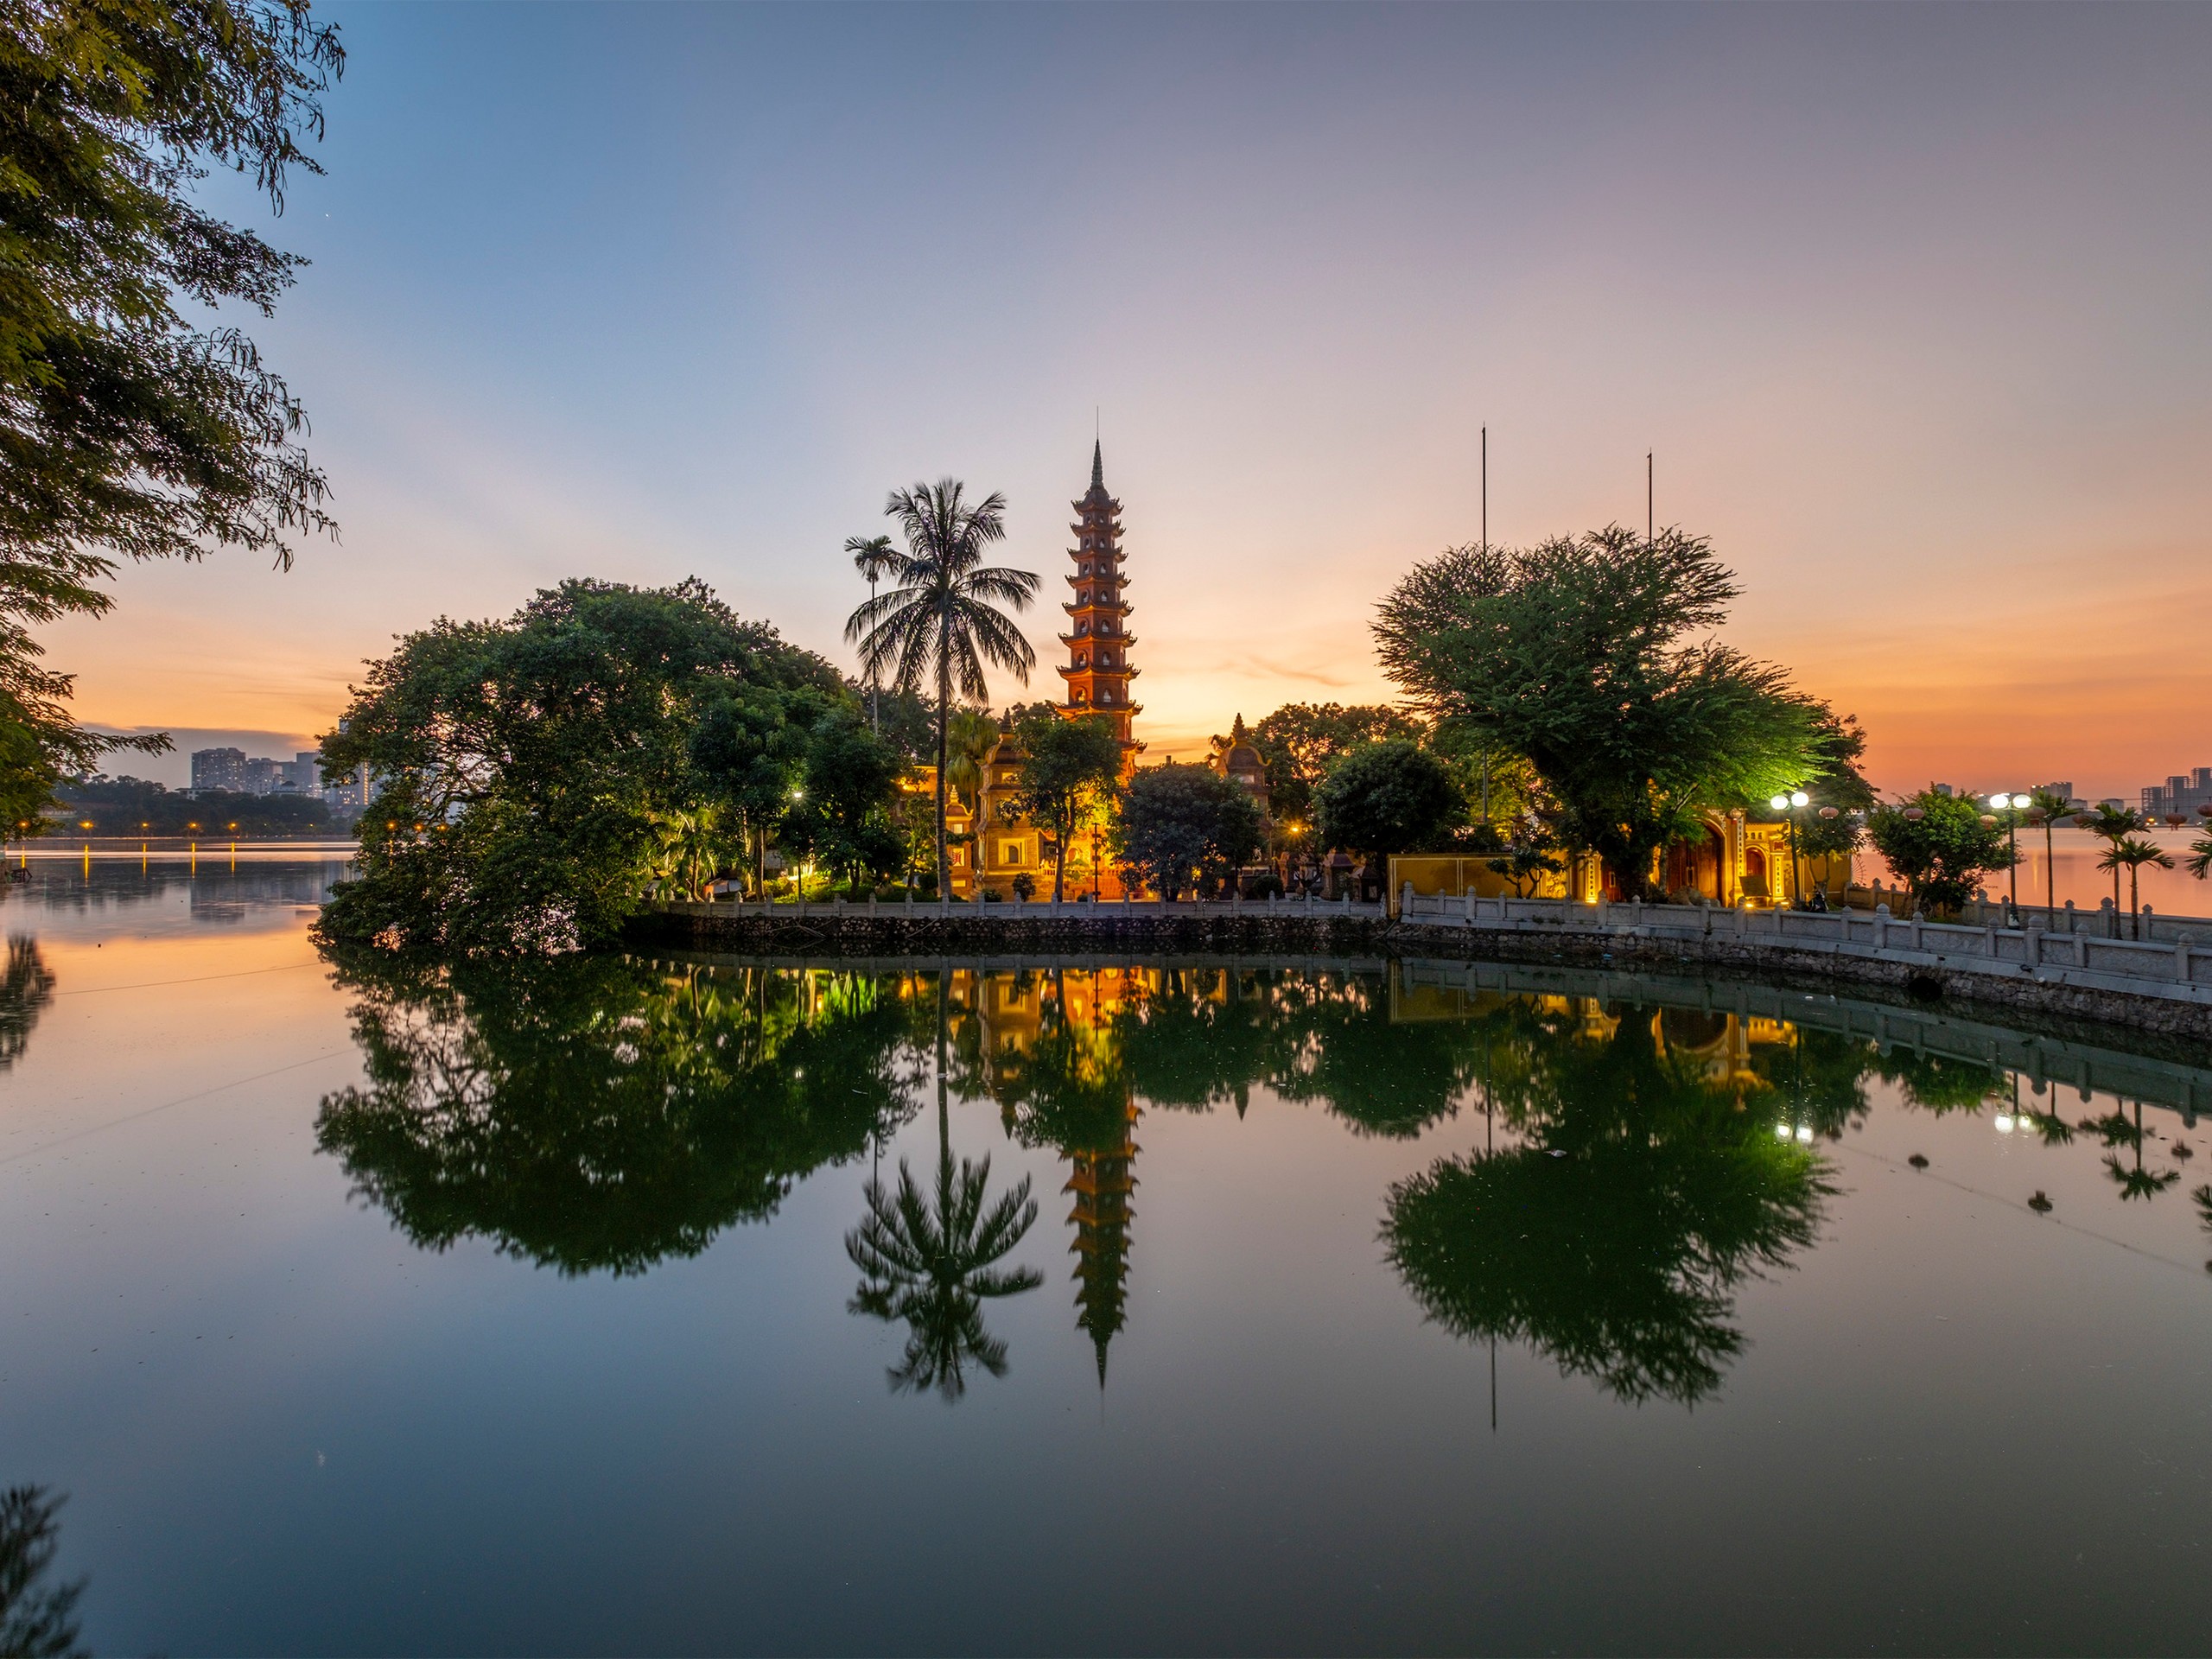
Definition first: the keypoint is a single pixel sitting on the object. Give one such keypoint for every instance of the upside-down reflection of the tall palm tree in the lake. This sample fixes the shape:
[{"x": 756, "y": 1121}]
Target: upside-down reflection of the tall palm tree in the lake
[{"x": 935, "y": 1260}]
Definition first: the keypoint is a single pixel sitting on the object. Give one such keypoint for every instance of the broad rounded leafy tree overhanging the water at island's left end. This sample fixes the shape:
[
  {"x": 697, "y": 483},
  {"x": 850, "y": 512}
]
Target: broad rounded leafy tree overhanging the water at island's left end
[{"x": 523, "y": 762}]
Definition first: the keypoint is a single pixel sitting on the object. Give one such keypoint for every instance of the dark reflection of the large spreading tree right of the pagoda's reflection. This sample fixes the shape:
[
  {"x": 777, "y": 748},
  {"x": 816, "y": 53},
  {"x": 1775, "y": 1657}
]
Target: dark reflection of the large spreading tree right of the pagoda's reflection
[{"x": 1638, "y": 1198}]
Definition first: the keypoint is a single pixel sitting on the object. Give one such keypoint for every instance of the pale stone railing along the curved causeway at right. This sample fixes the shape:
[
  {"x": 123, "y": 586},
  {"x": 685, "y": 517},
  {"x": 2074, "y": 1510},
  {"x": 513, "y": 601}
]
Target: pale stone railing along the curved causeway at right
[{"x": 2176, "y": 966}]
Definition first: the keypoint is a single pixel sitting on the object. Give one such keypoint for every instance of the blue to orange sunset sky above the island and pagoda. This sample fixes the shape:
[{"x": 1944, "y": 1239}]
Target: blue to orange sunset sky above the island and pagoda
[{"x": 1912, "y": 304}]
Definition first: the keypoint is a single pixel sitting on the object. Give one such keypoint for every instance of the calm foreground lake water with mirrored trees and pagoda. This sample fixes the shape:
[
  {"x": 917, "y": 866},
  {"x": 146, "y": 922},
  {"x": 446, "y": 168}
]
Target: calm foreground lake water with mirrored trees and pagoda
[{"x": 1070, "y": 1308}]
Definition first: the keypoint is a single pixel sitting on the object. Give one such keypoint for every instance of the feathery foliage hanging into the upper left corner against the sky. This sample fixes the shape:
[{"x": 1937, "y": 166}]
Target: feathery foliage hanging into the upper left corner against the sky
[{"x": 129, "y": 430}]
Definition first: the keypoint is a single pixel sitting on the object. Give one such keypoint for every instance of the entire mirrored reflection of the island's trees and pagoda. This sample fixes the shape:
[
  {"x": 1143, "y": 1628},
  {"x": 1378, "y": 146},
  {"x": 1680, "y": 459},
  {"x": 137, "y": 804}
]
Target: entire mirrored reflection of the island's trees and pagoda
[{"x": 1642, "y": 1151}]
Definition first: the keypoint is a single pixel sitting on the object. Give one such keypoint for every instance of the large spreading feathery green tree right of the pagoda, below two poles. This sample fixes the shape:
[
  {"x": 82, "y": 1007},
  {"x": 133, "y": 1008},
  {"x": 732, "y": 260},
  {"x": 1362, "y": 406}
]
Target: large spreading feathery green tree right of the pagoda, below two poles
[{"x": 1587, "y": 656}]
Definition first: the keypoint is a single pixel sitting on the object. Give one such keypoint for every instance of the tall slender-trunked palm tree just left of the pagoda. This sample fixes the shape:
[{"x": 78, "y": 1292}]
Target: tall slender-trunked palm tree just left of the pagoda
[{"x": 943, "y": 616}]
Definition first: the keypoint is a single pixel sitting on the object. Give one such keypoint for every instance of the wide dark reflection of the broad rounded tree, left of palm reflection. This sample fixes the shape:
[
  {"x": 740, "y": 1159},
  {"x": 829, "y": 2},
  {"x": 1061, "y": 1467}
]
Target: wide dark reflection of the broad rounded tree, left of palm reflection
[{"x": 605, "y": 1114}]
